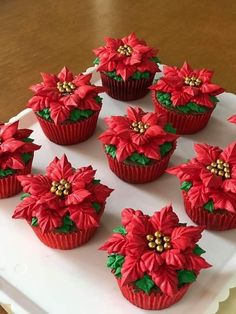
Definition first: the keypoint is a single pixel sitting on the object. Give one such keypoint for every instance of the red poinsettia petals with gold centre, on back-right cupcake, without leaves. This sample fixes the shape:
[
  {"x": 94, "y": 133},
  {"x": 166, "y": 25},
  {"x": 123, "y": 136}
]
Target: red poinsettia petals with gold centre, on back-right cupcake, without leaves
[{"x": 187, "y": 85}]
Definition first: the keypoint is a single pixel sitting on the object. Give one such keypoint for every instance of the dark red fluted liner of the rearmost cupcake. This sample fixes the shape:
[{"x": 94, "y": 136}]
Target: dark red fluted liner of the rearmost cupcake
[{"x": 126, "y": 90}]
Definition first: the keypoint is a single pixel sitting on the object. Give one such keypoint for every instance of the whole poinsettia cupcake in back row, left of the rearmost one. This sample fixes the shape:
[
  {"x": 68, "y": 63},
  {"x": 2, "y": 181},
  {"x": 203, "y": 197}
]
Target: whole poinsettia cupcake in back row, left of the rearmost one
[{"x": 66, "y": 106}]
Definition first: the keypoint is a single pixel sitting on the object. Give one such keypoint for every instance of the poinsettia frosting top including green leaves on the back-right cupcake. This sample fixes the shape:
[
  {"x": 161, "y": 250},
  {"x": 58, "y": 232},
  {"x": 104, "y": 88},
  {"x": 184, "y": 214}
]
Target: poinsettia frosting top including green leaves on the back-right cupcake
[{"x": 187, "y": 90}]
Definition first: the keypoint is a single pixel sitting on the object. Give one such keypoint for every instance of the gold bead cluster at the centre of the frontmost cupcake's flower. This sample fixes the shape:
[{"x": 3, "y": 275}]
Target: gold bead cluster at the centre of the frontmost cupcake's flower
[{"x": 158, "y": 241}]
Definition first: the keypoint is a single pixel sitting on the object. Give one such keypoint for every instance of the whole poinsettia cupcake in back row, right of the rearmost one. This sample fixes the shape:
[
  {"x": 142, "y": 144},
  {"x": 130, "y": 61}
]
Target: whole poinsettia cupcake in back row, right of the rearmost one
[{"x": 186, "y": 96}]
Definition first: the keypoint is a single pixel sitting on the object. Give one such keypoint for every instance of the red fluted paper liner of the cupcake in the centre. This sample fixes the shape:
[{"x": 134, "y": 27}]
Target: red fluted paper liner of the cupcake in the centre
[{"x": 138, "y": 173}]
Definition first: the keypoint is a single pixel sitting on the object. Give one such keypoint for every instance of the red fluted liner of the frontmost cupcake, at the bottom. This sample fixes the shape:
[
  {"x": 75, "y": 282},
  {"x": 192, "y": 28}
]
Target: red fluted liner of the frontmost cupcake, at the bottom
[{"x": 152, "y": 301}]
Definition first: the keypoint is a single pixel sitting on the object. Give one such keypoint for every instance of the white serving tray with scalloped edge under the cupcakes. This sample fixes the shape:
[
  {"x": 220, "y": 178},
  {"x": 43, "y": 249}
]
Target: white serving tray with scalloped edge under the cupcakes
[{"x": 37, "y": 280}]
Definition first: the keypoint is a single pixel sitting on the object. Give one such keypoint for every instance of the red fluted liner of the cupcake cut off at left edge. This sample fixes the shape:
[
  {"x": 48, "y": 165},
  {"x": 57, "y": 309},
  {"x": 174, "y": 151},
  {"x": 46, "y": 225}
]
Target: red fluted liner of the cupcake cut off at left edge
[{"x": 9, "y": 185}]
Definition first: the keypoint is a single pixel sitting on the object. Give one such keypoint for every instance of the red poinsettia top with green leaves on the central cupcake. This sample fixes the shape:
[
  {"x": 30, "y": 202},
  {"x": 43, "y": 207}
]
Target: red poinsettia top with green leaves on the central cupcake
[{"x": 138, "y": 137}]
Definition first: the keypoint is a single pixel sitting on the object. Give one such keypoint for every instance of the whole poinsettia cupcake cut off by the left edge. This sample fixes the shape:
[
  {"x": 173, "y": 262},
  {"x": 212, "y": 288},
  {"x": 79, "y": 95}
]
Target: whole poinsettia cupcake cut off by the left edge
[{"x": 16, "y": 156}]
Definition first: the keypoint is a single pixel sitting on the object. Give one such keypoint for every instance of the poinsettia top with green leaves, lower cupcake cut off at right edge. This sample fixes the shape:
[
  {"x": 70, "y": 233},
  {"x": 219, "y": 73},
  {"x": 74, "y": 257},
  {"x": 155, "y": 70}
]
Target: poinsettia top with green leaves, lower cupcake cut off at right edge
[{"x": 209, "y": 179}]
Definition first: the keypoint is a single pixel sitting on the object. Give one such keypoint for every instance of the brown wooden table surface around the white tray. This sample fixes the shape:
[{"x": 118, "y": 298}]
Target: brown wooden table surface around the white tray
[{"x": 45, "y": 35}]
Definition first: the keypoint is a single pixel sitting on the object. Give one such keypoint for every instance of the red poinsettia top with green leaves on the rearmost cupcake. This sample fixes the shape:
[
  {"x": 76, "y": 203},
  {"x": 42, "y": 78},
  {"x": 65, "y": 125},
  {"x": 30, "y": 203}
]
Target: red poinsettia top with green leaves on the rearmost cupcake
[{"x": 126, "y": 58}]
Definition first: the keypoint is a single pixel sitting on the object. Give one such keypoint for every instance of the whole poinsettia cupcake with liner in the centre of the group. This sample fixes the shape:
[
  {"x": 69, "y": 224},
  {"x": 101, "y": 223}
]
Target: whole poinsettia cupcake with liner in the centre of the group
[{"x": 138, "y": 145}]
